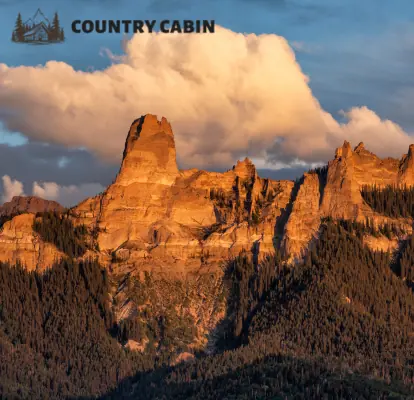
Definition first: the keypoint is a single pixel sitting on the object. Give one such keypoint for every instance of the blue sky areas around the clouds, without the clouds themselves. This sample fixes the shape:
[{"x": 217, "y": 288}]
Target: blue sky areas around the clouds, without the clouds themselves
[{"x": 355, "y": 52}]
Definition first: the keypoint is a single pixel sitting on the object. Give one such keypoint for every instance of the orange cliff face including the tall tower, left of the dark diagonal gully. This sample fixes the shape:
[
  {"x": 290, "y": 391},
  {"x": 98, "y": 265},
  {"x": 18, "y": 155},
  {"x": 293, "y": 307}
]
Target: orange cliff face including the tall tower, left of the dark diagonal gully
[{"x": 160, "y": 218}]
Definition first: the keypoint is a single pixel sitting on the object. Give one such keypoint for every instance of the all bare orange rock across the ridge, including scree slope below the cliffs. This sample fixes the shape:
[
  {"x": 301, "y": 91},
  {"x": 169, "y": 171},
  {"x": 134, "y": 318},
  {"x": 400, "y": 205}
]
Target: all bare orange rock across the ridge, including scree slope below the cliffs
[{"x": 165, "y": 233}]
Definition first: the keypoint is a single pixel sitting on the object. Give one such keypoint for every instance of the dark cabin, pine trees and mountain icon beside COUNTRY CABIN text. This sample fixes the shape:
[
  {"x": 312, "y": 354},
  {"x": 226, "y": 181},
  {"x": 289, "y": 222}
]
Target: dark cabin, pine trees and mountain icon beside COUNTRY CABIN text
[{"x": 38, "y": 29}]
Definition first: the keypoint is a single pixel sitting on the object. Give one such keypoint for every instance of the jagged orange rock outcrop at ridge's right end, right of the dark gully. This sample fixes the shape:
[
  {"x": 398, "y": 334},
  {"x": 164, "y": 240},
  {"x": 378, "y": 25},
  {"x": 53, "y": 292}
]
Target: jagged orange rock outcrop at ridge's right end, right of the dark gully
[{"x": 339, "y": 193}]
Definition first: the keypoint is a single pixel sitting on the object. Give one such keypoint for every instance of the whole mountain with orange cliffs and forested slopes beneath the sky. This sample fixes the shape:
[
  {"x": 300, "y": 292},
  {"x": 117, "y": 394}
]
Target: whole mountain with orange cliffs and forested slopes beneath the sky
[{"x": 193, "y": 284}]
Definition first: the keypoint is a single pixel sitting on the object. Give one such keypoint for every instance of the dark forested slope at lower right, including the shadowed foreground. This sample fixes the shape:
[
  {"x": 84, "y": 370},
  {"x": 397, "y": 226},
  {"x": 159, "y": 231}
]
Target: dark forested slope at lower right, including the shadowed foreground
[{"x": 341, "y": 324}]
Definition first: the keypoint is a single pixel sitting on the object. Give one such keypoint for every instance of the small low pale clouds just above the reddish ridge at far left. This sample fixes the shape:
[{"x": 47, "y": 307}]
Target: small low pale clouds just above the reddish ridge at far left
[{"x": 65, "y": 195}]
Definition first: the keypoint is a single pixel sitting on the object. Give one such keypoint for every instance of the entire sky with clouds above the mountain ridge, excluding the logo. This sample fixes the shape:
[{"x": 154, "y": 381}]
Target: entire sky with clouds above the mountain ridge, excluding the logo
[{"x": 281, "y": 81}]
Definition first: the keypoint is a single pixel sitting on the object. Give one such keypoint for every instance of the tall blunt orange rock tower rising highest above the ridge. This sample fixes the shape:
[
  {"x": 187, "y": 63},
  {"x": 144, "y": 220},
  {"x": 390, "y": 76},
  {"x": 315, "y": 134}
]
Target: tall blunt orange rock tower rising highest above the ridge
[{"x": 149, "y": 155}]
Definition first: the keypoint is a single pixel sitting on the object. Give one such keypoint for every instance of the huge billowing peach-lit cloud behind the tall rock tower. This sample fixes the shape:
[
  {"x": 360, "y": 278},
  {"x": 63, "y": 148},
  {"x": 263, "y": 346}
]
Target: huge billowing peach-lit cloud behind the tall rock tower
[{"x": 227, "y": 95}]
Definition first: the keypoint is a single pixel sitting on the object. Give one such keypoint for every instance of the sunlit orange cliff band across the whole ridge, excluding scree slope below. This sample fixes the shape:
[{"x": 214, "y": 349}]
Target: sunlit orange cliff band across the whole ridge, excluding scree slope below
[{"x": 156, "y": 217}]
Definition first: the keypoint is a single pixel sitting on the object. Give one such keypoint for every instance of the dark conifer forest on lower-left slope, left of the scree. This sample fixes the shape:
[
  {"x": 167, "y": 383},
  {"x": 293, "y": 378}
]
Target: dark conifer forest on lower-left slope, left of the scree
[{"x": 54, "y": 334}]
